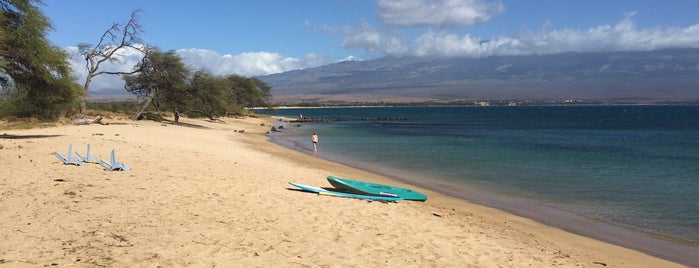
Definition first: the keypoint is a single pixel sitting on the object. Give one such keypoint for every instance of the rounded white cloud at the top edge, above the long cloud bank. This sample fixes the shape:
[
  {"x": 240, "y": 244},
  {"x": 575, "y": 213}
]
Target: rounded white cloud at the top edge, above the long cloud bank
[{"x": 438, "y": 13}]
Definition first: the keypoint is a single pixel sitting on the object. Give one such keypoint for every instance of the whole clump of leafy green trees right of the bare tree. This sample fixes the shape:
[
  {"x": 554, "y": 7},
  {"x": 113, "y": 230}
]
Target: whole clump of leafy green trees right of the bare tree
[{"x": 163, "y": 82}]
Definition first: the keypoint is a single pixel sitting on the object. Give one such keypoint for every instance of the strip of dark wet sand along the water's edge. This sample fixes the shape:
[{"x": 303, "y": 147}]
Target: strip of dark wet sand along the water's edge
[{"x": 650, "y": 243}]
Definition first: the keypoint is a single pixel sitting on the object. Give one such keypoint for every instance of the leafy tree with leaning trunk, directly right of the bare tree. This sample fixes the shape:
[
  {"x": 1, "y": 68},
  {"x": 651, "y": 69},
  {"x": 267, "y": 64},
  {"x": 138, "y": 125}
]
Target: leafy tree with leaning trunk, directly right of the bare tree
[{"x": 161, "y": 75}]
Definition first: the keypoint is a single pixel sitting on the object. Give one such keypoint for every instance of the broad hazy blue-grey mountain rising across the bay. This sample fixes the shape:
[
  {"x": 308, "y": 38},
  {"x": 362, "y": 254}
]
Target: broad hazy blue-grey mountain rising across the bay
[{"x": 646, "y": 76}]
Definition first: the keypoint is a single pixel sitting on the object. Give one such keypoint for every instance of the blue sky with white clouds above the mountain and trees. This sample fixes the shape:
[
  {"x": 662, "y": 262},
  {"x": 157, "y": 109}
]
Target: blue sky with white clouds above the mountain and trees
[{"x": 262, "y": 37}]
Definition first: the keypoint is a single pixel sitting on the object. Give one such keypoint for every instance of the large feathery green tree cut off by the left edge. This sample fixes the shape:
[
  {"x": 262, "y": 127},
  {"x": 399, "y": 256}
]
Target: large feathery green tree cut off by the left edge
[{"x": 34, "y": 75}]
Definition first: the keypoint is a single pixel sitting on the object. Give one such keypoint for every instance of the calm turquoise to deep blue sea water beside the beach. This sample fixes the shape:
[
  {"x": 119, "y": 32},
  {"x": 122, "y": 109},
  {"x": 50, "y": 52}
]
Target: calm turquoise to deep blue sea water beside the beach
[{"x": 631, "y": 166}]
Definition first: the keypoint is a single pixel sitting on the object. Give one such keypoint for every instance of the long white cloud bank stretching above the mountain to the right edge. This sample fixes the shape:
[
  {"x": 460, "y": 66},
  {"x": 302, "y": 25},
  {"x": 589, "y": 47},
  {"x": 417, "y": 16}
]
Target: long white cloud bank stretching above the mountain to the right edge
[{"x": 623, "y": 36}]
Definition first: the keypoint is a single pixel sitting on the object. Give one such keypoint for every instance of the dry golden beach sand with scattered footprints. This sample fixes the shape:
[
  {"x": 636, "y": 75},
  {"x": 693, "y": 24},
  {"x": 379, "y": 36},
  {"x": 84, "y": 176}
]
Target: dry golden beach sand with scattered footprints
[{"x": 203, "y": 194}]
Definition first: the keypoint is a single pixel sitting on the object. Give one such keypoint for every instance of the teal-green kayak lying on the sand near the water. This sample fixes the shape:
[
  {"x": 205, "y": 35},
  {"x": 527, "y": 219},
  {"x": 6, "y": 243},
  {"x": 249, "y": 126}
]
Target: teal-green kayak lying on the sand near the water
[{"x": 368, "y": 188}]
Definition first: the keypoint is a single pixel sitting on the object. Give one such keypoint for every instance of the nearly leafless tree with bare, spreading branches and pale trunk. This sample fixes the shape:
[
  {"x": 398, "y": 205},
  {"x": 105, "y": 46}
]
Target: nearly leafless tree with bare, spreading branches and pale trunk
[{"x": 117, "y": 38}]
